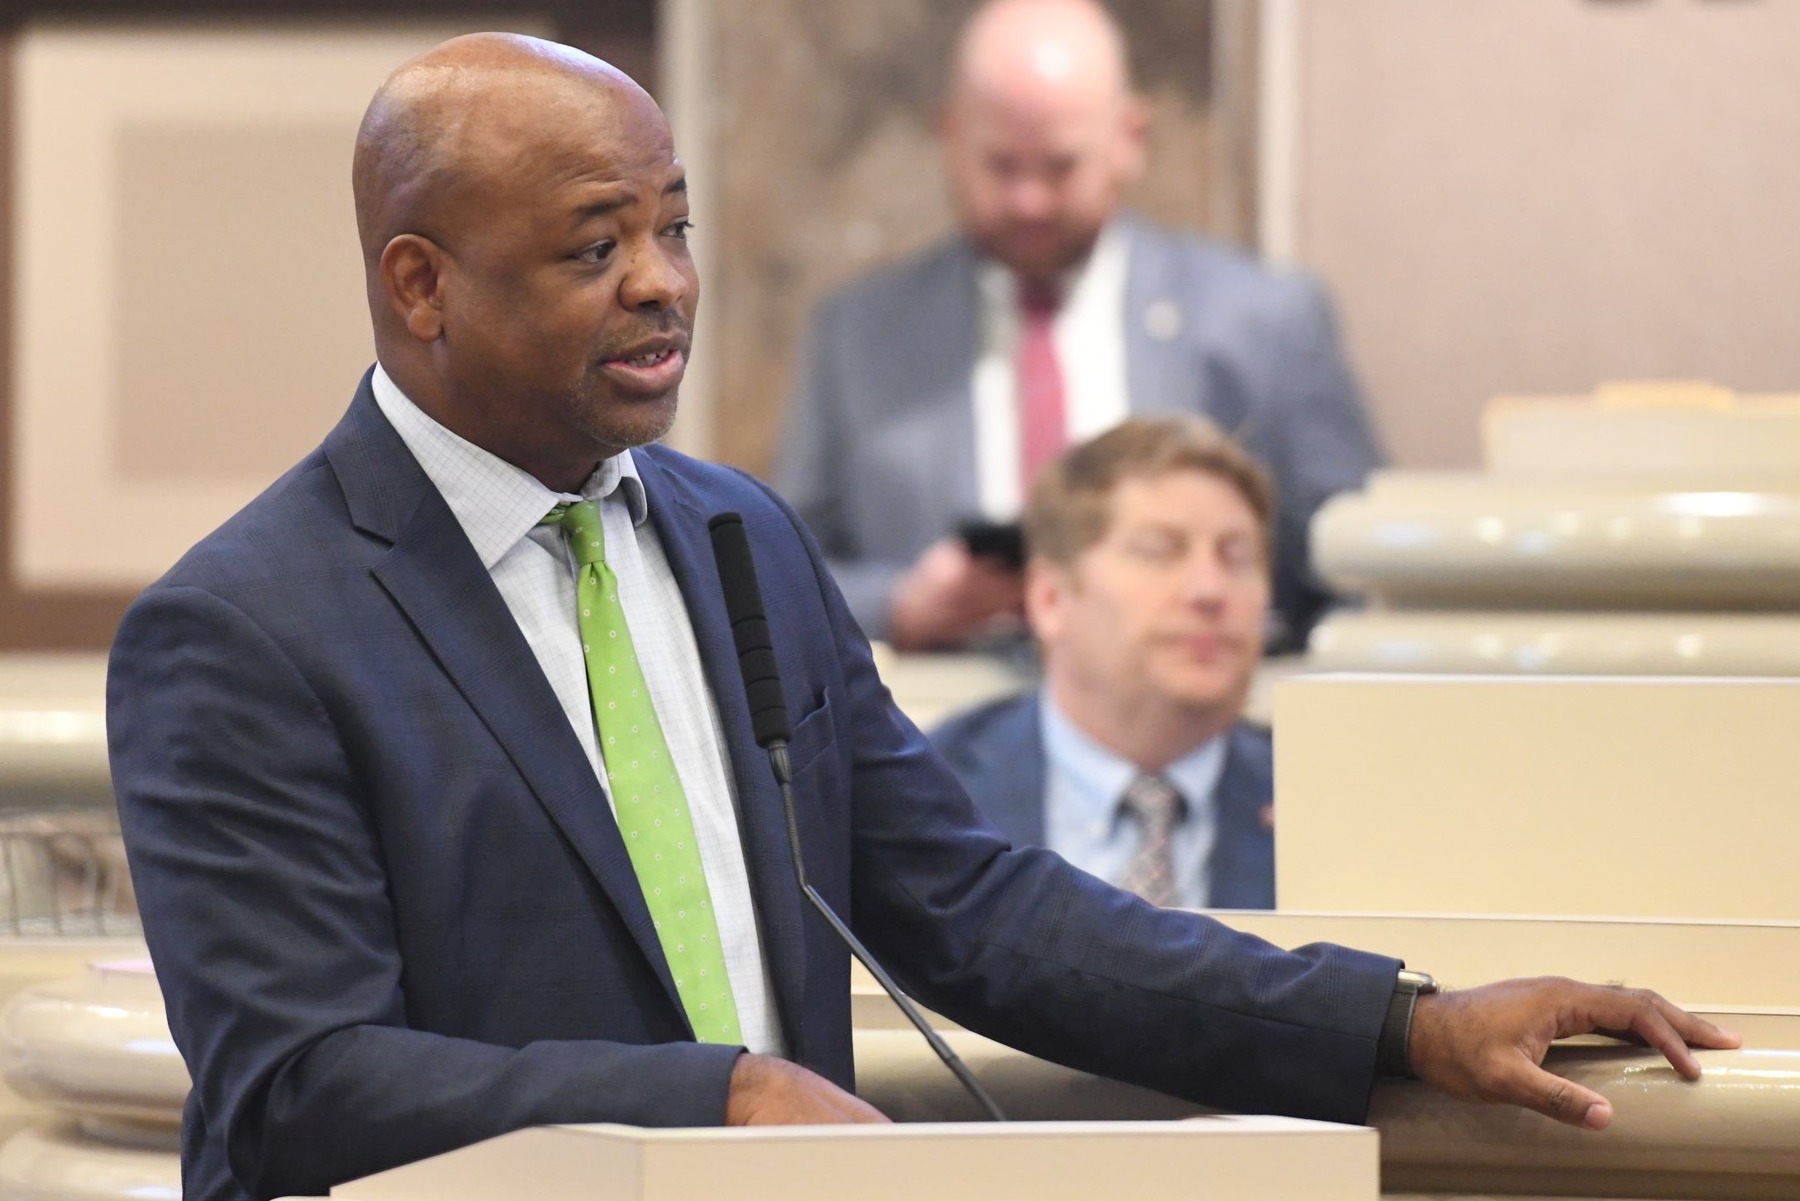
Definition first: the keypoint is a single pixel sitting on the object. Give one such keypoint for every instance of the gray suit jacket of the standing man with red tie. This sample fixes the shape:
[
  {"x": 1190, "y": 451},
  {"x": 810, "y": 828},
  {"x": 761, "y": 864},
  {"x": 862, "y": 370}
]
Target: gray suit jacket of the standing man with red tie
[{"x": 879, "y": 453}]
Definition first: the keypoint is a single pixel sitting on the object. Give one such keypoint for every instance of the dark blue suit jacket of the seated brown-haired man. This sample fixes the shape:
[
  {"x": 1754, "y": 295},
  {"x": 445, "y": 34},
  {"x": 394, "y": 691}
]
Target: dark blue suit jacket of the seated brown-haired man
[{"x": 998, "y": 754}]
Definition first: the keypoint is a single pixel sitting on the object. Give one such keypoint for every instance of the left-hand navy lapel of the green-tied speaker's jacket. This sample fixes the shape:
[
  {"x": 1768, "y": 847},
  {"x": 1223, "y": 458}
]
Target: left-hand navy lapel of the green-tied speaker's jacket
[{"x": 436, "y": 579}]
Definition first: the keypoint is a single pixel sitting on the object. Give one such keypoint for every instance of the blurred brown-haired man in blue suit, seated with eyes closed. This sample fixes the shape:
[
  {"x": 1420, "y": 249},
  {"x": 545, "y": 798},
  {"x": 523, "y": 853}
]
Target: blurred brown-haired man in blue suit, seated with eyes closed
[{"x": 1147, "y": 588}]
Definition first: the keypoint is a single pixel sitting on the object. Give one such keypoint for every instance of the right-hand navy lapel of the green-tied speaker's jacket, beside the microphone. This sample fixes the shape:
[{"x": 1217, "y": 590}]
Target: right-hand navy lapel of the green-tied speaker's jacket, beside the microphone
[{"x": 762, "y": 822}]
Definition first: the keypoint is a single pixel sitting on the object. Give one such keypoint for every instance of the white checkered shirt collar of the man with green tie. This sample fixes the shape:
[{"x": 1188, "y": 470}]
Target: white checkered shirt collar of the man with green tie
[{"x": 494, "y": 501}]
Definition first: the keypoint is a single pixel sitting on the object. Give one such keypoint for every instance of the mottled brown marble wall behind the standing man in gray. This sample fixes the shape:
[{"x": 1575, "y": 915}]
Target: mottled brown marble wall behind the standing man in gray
[{"x": 823, "y": 163}]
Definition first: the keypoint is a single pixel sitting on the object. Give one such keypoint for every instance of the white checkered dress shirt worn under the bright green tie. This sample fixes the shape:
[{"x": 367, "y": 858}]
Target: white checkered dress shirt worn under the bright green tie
[{"x": 499, "y": 509}]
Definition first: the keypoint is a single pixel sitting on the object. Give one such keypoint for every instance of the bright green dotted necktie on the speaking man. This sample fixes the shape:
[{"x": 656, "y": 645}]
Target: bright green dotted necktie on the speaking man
[{"x": 647, "y": 795}]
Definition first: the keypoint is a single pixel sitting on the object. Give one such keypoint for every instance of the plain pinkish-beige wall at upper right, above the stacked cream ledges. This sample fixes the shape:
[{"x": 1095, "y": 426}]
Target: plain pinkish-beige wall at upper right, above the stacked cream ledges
[{"x": 1542, "y": 195}]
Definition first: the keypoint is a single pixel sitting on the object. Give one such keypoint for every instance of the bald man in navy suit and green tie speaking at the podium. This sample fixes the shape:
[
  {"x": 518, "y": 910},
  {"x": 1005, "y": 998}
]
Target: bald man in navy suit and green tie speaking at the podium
[{"x": 442, "y": 791}]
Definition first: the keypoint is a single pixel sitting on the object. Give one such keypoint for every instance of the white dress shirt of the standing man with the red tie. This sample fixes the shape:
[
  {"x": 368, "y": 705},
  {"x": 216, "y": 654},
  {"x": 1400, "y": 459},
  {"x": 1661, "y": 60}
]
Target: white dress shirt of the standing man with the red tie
[{"x": 1090, "y": 341}]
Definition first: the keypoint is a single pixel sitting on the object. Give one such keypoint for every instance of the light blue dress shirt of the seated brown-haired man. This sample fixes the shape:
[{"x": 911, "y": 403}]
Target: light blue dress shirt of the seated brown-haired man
[{"x": 1083, "y": 817}]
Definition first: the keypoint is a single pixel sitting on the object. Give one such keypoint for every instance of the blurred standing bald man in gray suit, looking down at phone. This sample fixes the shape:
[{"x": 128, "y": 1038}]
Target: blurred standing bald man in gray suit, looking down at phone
[{"x": 935, "y": 388}]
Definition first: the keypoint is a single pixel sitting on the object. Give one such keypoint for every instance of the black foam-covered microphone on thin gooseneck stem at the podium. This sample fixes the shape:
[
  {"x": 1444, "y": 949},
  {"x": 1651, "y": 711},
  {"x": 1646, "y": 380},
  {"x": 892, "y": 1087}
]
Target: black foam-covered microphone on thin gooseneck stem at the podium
[{"x": 762, "y": 689}]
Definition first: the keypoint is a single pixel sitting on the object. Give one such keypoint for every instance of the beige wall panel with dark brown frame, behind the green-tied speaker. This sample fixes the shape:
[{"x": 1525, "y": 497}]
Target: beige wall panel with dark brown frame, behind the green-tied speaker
[{"x": 181, "y": 300}]
